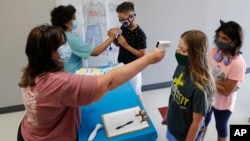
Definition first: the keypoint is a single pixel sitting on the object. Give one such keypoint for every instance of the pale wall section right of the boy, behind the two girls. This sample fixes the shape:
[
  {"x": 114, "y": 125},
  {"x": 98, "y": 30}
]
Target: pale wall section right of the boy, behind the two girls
[{"x": 168, "y": 19}]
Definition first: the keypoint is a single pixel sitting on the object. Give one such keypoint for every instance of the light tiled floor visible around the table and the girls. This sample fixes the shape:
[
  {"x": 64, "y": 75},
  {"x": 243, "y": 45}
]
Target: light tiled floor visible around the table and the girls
[{"x": 152, "y": 100}]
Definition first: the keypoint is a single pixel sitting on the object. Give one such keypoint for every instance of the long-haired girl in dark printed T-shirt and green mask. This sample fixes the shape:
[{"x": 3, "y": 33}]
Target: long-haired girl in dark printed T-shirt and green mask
[{"x": 192, "y": 89}]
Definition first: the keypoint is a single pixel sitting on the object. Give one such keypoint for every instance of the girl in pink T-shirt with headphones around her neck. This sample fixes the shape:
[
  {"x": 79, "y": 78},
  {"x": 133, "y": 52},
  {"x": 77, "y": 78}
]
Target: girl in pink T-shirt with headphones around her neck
[{"x": 228, "y": 69}]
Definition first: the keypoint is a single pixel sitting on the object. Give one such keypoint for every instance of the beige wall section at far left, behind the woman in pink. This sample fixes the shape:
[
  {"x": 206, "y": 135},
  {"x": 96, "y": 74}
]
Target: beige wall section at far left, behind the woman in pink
[{"x": 17, "y": 19}]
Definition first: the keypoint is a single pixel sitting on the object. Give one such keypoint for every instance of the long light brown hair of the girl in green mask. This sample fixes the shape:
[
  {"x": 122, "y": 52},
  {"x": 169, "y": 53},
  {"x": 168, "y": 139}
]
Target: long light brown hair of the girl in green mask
[{"x": 198, "y": 50}]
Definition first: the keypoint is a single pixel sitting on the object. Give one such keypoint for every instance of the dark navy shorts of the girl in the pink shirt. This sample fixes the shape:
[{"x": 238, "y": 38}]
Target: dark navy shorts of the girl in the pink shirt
[{"x": 221, "y": 121}]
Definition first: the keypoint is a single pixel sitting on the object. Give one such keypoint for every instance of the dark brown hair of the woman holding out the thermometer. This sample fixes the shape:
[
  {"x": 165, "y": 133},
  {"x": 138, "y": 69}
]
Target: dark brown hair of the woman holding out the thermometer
[{"x": 42, "y": 41}]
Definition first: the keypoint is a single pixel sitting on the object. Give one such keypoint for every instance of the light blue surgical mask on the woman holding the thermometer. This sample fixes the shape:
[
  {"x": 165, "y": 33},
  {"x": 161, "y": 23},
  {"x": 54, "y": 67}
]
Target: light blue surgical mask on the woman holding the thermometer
[{"x": 65, "y": 52}]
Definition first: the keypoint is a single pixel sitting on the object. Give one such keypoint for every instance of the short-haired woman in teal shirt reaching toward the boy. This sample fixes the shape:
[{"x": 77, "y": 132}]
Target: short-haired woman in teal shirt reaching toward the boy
[{"x": 64, "y": 17}]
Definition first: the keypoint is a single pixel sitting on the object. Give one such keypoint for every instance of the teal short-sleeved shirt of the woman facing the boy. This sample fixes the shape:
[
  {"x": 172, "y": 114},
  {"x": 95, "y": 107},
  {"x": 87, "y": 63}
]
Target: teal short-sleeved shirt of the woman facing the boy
[{"x": 80, "y": 50}]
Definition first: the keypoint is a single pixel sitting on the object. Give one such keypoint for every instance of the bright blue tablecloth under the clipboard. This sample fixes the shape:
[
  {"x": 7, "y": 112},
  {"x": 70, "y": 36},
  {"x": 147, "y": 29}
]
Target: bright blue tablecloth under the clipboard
[{"x": 120, "y": 98}]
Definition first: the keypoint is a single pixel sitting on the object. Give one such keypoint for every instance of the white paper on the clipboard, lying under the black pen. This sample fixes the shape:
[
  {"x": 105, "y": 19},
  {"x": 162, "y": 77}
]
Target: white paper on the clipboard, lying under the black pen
[{"x": 119, "y": 118}]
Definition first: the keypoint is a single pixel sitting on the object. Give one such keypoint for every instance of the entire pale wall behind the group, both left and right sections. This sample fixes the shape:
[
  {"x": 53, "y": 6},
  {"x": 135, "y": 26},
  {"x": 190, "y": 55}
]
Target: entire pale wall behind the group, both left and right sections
[{"x": 160, "y": 19}]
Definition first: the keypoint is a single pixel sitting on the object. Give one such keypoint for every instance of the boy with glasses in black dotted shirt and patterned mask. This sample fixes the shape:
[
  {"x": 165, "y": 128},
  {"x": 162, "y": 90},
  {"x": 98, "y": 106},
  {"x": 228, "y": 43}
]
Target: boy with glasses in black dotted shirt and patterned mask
[{"x": 132, "y": 42}]
